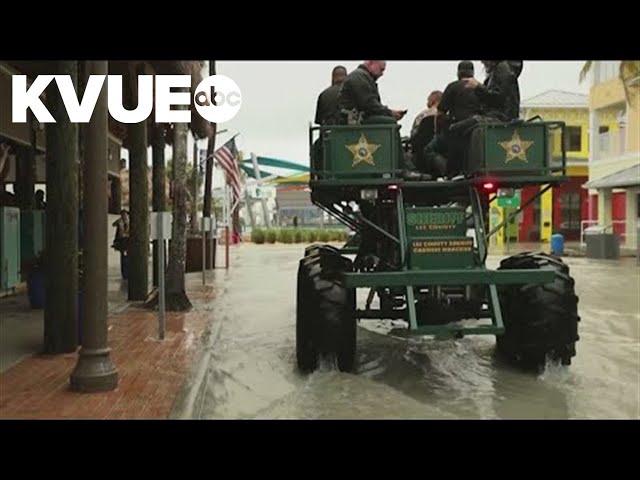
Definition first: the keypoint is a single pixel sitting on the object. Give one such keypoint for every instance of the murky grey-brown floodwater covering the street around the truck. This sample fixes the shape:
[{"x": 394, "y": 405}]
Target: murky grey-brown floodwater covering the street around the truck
[{"x": 247, "y": 368}]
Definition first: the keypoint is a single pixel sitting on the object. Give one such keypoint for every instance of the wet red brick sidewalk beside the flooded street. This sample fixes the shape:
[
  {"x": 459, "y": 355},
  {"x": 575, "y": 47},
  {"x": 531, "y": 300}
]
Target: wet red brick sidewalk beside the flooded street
[{"x": 151, "y": 372}]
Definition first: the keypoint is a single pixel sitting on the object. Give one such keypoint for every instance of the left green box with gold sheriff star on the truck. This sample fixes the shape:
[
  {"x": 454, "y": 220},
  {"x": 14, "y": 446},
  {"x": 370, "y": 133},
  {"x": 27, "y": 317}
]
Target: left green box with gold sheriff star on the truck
[{"x": 360, "y": 151}]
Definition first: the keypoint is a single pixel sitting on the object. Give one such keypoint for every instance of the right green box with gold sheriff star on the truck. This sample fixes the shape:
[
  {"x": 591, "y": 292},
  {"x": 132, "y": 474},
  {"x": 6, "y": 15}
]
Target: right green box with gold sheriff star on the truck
[{"x": 504, "y": 149}]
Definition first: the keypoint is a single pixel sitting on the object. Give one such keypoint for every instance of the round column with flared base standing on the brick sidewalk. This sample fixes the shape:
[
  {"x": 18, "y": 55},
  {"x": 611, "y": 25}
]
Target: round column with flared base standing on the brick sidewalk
[{"x": 94, "y": 371}]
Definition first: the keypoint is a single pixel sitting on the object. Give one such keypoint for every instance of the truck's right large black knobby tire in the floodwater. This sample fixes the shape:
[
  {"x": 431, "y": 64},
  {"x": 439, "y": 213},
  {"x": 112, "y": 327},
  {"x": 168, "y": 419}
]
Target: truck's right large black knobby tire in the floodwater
[{"x": 541, "y": 321}]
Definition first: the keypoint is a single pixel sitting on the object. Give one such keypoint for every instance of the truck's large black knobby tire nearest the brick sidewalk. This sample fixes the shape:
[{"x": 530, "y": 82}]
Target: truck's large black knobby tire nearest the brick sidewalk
[{"x": 325, "y": 322}]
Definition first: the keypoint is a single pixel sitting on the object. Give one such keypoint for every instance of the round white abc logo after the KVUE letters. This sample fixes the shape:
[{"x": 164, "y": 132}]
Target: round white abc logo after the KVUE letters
[{"x": 226, "y": 96}]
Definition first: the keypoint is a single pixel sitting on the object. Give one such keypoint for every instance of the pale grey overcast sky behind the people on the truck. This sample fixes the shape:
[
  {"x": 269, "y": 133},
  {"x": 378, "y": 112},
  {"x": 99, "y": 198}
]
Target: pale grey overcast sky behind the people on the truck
[{"x": 279, "y": 98}]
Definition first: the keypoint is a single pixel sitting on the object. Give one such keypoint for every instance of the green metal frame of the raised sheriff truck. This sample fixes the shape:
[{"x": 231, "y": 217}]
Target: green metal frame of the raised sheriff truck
[{"x": 332, "y": 194}]
